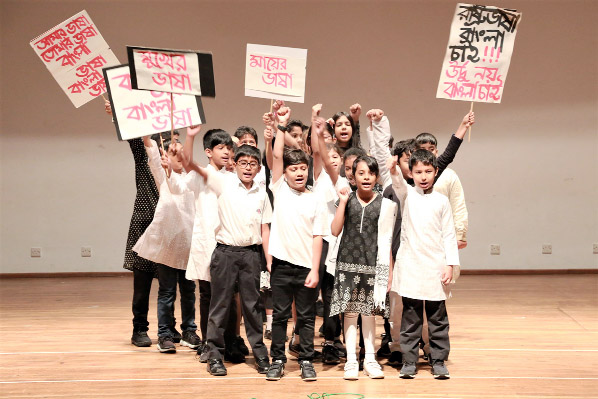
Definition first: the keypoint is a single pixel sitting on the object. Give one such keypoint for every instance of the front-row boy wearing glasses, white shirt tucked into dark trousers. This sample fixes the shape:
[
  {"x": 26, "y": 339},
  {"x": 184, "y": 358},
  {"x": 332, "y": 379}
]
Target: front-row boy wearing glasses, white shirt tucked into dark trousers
[{"x": 244, "y": 211}]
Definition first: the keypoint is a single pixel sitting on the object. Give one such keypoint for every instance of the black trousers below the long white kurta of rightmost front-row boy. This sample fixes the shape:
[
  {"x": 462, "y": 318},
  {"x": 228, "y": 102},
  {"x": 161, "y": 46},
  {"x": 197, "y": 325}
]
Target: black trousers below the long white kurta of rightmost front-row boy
[{"x": 411, "y": 329}]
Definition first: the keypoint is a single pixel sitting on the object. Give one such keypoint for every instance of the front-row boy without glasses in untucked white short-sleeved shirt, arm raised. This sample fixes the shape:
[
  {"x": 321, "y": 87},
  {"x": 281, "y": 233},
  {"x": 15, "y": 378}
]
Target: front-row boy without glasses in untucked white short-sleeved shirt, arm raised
[{"x": 298, "y": 224}]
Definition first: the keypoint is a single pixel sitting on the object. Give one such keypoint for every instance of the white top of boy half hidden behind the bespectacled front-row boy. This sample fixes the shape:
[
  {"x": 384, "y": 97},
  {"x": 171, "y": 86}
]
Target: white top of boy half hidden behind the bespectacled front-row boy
[{"x": 203, "y": 241}]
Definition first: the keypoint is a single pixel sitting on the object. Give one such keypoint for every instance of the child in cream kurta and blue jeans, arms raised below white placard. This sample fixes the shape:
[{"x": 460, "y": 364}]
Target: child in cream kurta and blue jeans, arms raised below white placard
[{"x": 167, "y": 242}]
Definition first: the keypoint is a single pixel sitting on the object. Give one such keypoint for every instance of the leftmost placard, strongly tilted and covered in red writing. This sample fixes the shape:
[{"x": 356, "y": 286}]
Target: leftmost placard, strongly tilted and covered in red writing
[{"x": 75, "y": 53}]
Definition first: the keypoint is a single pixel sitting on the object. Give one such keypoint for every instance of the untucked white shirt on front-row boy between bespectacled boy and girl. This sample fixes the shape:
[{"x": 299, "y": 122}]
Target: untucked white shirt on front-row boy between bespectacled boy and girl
[{"x": 297, "y": 218}]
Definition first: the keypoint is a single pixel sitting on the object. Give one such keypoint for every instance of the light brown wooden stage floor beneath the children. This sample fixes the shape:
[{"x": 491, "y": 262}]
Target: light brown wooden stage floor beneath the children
[{"x": 531, "y": 336}]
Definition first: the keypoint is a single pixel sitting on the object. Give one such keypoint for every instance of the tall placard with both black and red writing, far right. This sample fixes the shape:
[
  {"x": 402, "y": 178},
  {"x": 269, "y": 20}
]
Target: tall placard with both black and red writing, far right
[{"x": 479, "y": 53}]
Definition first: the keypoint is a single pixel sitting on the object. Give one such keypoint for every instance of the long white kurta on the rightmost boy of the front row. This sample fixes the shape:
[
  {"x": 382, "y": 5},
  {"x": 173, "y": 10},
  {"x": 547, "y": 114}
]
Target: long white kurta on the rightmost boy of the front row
[{"x": 428, "y": 243}]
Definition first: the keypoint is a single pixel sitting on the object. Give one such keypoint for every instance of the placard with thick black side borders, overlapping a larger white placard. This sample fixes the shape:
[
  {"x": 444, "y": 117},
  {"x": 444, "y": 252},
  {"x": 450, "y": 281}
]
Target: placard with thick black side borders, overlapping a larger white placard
[{"x": 173, "y": 71}]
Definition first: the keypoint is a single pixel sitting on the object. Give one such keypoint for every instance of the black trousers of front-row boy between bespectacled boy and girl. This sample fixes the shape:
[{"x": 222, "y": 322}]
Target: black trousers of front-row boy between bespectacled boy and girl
[{"x": 287, "y": 281}]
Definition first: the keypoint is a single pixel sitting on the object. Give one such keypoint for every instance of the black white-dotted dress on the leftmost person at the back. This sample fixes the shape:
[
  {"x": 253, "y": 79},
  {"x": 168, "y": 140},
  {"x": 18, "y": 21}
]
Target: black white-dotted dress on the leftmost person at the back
[{"x": 146, "y": 200}]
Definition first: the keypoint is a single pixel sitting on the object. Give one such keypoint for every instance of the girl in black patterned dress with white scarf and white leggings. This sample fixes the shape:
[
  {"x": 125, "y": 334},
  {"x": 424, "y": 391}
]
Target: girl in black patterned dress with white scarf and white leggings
[{"x": 363, "y": 262}]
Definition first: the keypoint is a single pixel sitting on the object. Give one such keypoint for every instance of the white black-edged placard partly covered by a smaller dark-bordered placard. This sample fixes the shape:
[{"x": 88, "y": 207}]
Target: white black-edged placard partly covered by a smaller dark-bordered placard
[{"x": 139, "y": 113}]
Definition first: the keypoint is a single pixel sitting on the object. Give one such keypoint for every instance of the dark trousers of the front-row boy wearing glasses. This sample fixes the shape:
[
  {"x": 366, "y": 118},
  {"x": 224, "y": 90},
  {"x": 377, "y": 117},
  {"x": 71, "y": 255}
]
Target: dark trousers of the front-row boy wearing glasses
[{"x": 229, "y": 265}]
